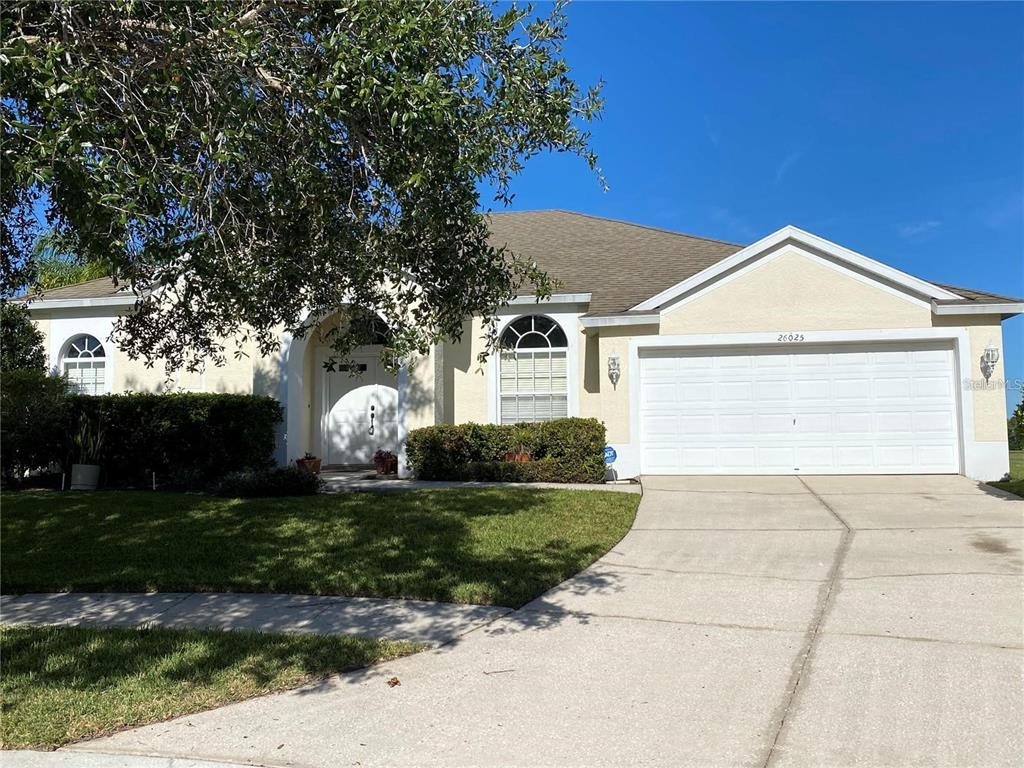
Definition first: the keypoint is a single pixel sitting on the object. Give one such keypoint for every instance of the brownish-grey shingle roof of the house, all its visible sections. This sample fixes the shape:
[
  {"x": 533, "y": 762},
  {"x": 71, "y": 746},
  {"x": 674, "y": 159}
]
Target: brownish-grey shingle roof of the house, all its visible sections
[{"x": 620, "y": 264}]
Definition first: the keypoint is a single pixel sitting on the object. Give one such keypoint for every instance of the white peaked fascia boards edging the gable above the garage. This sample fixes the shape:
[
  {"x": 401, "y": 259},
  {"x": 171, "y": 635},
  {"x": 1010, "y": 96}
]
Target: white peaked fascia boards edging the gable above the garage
[{"x": 814, "y": 241}]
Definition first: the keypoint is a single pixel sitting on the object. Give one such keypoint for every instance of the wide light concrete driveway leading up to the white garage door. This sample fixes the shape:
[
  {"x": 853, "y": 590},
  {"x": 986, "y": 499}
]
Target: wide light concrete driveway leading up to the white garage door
[{"x": 743, "y": 622}]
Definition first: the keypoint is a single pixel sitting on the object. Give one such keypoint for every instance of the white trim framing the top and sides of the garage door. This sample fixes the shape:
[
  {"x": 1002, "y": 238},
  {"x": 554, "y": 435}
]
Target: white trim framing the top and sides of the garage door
[{"x": 972, "y": 457}]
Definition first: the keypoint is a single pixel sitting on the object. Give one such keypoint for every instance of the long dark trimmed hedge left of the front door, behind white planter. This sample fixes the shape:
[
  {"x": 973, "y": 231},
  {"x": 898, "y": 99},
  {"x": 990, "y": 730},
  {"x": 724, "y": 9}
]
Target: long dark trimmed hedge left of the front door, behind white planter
[{"x": 189, "y": 440}]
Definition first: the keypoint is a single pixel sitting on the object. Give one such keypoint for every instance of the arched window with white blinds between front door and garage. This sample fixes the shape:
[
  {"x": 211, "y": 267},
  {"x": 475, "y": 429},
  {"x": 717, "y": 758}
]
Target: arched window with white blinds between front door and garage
[{"x": 533, "y": 371}]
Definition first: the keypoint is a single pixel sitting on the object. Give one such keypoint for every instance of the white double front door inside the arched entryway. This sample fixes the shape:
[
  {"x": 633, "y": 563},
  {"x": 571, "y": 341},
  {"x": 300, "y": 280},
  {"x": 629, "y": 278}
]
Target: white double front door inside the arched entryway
[{"x": 359, "y": 410}]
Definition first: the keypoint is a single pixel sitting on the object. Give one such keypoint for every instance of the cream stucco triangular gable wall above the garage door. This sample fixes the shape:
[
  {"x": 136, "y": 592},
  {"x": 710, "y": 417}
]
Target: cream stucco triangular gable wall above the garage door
[{"x": 794, "y": 292}]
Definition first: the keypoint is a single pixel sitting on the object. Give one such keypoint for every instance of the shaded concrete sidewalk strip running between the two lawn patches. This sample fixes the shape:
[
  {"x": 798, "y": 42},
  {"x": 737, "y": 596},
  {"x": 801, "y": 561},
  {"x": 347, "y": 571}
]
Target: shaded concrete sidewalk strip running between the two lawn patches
[{"x": 394, "y": 620}]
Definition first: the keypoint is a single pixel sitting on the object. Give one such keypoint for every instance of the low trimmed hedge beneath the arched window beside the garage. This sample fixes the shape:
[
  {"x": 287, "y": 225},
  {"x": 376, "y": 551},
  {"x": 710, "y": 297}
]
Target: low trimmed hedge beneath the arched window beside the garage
[{"x": 564, "y": 451}]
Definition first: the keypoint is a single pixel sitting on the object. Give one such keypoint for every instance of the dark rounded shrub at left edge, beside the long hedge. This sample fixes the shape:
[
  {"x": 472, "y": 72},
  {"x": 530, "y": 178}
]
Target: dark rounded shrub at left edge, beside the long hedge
[{"x": 33, "y": 420}]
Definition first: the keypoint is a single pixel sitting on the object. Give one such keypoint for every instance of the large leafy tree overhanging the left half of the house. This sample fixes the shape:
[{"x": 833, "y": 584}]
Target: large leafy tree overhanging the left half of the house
[{"x": 245, "y": 166}]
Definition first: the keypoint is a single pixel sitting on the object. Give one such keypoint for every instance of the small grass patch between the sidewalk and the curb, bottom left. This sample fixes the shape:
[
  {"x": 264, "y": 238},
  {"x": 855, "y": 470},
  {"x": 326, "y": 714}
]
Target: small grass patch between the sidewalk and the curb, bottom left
[{"x": 66, "y": 684}]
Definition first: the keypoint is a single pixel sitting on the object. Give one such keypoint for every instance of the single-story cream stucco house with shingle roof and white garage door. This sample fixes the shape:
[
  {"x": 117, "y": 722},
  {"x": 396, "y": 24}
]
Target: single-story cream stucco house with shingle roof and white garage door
[{"x": 789, "y": 356}]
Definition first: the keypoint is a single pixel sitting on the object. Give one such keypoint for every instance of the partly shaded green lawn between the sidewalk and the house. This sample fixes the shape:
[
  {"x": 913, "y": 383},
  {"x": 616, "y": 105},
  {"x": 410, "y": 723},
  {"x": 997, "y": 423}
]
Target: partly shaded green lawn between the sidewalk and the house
[{"x": 490, "y": 546}]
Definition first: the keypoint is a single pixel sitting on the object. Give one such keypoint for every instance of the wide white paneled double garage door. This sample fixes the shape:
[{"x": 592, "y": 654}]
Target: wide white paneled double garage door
[{"x": 847, "y": 410}]
